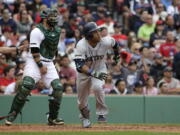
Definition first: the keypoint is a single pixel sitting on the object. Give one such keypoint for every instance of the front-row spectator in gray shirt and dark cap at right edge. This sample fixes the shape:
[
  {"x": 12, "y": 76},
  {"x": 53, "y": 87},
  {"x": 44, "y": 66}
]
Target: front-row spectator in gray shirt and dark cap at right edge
[{"x": 172, "y": 83}]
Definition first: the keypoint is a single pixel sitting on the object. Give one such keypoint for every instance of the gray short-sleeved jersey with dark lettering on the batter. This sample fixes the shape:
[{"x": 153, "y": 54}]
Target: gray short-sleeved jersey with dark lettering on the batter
[{"x": 94, "y": 57}]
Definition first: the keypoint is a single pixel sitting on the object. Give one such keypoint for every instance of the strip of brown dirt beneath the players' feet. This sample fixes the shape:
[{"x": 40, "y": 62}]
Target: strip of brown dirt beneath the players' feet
[{"x": 95, "y": 127}]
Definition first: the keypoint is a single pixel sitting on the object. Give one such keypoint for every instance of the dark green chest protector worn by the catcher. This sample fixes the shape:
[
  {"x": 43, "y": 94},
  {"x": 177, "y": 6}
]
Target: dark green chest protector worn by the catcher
[{"x": 48, "y": 46}]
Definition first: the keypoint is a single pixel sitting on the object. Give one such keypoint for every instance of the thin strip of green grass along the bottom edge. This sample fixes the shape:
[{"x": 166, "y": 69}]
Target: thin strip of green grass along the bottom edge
[{"x": 91, "y": 133}]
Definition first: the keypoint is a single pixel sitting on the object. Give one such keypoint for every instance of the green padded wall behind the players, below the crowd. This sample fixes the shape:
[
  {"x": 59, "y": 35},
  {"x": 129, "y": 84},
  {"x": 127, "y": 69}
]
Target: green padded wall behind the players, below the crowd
[{"x": 122, "y": 109}]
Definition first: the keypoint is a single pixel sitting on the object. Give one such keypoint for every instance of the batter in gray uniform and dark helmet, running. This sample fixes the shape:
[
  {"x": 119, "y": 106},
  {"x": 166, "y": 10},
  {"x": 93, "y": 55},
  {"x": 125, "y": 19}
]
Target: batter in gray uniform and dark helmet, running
[{"x": 90, "y": 56}]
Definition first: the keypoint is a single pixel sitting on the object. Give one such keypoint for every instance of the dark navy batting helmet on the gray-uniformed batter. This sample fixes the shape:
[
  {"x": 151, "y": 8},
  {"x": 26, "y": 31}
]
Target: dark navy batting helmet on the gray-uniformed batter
[{"x": 89, "y": 28}]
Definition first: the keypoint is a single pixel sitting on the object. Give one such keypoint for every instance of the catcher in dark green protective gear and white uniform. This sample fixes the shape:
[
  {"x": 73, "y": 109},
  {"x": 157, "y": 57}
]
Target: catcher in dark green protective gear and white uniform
[{"x": 43, "y": 46}]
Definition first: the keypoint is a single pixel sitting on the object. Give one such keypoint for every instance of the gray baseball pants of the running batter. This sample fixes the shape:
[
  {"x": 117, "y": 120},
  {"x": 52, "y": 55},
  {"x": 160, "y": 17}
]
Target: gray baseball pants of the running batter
[{"x": 84, "y": 87}]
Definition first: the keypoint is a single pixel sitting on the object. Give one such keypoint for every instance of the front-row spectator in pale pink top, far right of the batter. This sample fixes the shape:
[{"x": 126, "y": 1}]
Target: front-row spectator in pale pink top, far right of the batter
[{"x": 149, "y": 88}]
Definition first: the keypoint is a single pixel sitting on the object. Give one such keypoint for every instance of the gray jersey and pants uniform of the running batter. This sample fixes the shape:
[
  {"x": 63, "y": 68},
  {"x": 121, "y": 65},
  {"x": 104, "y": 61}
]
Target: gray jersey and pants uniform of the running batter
[{"x": 95, "y": 59}]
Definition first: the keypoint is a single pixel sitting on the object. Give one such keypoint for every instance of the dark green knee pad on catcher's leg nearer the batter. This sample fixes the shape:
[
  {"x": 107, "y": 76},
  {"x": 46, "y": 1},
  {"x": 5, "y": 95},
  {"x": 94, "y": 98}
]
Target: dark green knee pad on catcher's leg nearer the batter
[{"x": 57, "y": 89}]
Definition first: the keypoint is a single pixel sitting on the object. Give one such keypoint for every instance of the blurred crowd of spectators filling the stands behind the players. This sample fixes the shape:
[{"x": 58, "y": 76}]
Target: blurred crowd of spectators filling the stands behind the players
[{"x": 148, "y": 33}]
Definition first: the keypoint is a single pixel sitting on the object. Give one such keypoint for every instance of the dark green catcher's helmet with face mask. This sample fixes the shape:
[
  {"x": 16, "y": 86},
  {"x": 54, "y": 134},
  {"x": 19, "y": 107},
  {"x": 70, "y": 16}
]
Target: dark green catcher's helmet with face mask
[{"x": 50, "y": 15}]
